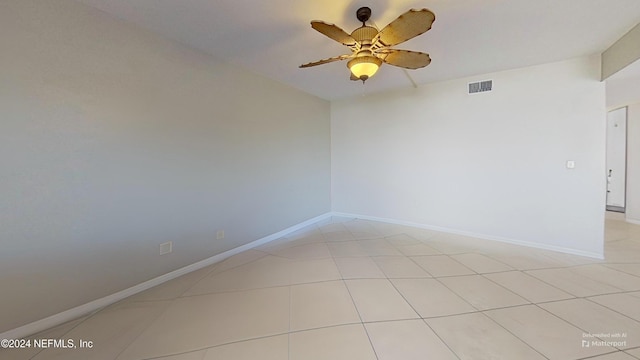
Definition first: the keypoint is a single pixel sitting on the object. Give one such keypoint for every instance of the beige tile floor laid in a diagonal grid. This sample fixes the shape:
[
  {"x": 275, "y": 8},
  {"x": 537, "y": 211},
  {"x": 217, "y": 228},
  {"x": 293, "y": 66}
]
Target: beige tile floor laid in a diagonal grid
[{"x": 354, "y": 289}]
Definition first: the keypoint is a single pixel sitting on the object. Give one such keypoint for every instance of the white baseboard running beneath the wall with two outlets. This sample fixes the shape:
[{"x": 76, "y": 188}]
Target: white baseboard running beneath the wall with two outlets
[{"x": 79, "y": 311}]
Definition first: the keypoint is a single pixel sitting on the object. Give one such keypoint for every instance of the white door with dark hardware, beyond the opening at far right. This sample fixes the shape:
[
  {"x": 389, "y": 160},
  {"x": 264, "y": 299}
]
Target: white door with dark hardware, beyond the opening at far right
[{"x": 616, "y": 159}]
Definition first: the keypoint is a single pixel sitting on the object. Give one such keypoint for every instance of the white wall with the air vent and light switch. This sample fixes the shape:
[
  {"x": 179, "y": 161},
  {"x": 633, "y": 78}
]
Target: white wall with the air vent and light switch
[{"x": 490, "y": 164}]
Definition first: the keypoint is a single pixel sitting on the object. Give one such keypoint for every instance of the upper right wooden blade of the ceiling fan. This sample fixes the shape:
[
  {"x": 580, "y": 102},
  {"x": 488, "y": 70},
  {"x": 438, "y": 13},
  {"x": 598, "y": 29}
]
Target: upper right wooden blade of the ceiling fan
[{"x": 405, "y": 27}]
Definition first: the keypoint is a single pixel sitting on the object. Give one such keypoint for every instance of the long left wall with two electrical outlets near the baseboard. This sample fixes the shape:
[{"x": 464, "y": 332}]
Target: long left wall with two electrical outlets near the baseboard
[{"x": 114, "y": 140}]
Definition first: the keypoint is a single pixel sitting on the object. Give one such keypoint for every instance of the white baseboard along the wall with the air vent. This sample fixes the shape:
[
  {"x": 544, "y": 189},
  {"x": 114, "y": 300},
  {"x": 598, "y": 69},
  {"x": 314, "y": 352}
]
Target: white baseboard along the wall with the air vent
[{"x": 599, "y": 256}]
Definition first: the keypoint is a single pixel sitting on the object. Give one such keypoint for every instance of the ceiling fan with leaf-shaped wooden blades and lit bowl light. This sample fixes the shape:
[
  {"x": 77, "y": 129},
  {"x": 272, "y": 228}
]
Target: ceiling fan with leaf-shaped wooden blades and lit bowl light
[{"x": 370, "y": 47}]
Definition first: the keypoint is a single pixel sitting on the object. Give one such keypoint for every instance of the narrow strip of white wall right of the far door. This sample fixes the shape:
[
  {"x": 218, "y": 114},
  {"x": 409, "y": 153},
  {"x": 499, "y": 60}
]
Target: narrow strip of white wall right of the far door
[{"x": 632, "y": 211}]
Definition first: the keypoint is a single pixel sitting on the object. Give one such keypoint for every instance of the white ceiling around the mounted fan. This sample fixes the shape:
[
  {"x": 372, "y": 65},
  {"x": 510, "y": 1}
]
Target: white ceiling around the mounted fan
[{"x": 469, "y": 37}]
